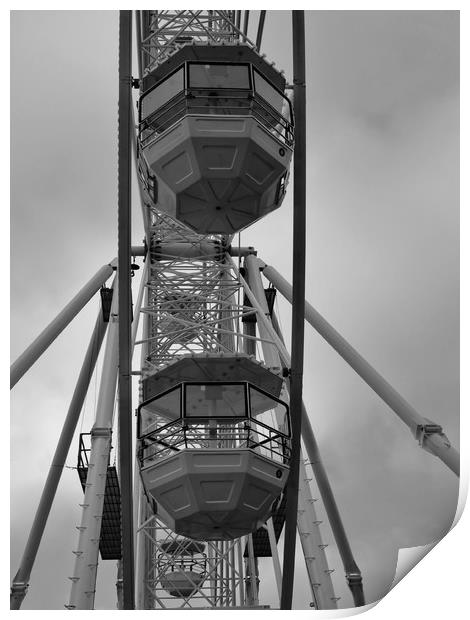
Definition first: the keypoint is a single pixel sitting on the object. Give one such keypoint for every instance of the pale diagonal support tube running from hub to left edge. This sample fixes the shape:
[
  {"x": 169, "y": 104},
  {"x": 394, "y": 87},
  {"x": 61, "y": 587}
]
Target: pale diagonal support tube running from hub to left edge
[{"x": 50, "y": 333}]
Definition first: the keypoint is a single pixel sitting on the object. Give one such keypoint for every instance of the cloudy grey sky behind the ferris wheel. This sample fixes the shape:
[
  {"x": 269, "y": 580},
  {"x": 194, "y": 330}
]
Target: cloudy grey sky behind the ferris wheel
[{"x": 383, "y": 252}]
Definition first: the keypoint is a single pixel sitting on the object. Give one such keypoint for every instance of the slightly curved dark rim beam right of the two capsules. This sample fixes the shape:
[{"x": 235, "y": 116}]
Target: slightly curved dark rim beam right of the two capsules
[{"x": 298, "y": 305}]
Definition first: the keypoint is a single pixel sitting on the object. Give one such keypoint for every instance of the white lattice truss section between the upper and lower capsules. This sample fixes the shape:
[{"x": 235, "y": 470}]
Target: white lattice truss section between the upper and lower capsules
[{"x": 194, "y": 303}]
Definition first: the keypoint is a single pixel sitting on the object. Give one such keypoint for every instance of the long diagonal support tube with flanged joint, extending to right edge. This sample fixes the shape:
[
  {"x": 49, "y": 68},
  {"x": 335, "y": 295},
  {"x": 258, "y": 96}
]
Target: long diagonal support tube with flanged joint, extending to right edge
[{"x": 429, "y": 435}]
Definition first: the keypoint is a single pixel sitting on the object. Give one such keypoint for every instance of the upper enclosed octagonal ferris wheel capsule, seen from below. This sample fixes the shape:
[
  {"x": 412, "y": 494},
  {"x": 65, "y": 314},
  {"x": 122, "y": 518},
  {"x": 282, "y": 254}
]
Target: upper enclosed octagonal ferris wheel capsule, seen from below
[{"x": 215, "y": 137}]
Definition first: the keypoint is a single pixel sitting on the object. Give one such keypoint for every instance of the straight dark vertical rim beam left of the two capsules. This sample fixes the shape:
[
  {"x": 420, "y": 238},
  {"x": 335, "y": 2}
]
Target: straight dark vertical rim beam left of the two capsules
[{"x": 124, "y": 275}]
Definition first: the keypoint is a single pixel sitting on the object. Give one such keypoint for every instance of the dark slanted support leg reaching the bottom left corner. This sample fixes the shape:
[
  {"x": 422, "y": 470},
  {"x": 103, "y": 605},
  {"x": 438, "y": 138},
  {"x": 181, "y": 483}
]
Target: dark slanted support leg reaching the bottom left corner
[{"x": 20, "y": 582}]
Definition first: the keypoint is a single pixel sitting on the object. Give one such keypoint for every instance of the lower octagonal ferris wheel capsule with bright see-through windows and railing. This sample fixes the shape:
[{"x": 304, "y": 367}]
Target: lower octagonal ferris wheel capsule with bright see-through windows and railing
[{"x": 214, "y": 445}]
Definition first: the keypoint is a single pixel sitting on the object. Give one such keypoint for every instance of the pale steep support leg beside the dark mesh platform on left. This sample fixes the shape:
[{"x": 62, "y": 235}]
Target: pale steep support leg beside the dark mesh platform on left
[{"x": 82, "y": 593}]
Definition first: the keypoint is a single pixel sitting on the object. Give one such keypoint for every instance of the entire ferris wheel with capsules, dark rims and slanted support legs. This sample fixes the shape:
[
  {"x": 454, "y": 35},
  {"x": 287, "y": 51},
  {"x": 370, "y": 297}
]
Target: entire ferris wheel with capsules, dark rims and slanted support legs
[{"x": 218, "y": 471}]
